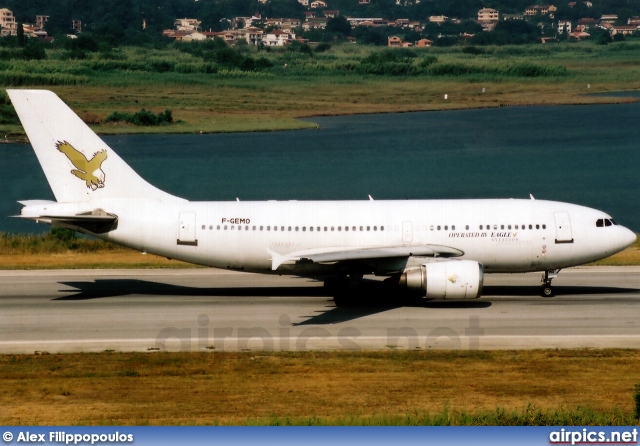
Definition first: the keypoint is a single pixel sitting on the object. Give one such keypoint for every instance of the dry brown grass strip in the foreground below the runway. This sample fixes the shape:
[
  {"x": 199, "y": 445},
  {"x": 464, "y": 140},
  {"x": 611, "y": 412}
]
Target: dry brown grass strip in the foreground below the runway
[{"x": 242, "y": 388}]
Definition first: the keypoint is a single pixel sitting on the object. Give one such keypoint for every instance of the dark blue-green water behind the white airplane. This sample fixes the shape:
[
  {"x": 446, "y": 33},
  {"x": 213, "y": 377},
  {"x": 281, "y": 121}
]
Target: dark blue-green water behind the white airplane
[{"x": 581, "y": 154}]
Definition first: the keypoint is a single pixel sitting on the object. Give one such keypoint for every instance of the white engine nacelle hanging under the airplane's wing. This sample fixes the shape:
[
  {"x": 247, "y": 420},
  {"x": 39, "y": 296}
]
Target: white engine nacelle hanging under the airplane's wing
[{"x": 451, "y": 279}]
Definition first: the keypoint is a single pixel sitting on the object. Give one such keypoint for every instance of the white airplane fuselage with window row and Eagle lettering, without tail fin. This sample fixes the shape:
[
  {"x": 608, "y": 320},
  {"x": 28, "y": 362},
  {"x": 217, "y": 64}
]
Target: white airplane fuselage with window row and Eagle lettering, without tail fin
[{"x": 506, "y": 235}]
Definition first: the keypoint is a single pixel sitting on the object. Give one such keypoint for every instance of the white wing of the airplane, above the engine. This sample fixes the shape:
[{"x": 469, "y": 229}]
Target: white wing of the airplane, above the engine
[{"x": 334, "y": 255}]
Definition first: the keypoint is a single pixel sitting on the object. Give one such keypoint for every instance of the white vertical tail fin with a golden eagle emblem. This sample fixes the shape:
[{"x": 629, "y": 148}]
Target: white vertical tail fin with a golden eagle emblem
[{"x": 77, "y": 163}]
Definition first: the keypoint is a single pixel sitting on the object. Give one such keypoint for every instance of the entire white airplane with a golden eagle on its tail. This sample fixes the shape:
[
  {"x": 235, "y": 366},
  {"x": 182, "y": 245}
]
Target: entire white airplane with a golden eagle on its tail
[{"x": 437, "y": 248}]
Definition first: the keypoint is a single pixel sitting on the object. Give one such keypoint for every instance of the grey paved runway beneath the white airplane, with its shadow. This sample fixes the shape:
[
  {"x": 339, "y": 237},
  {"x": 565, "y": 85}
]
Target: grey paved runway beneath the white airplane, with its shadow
[{"x": 214, "y": 310}]
